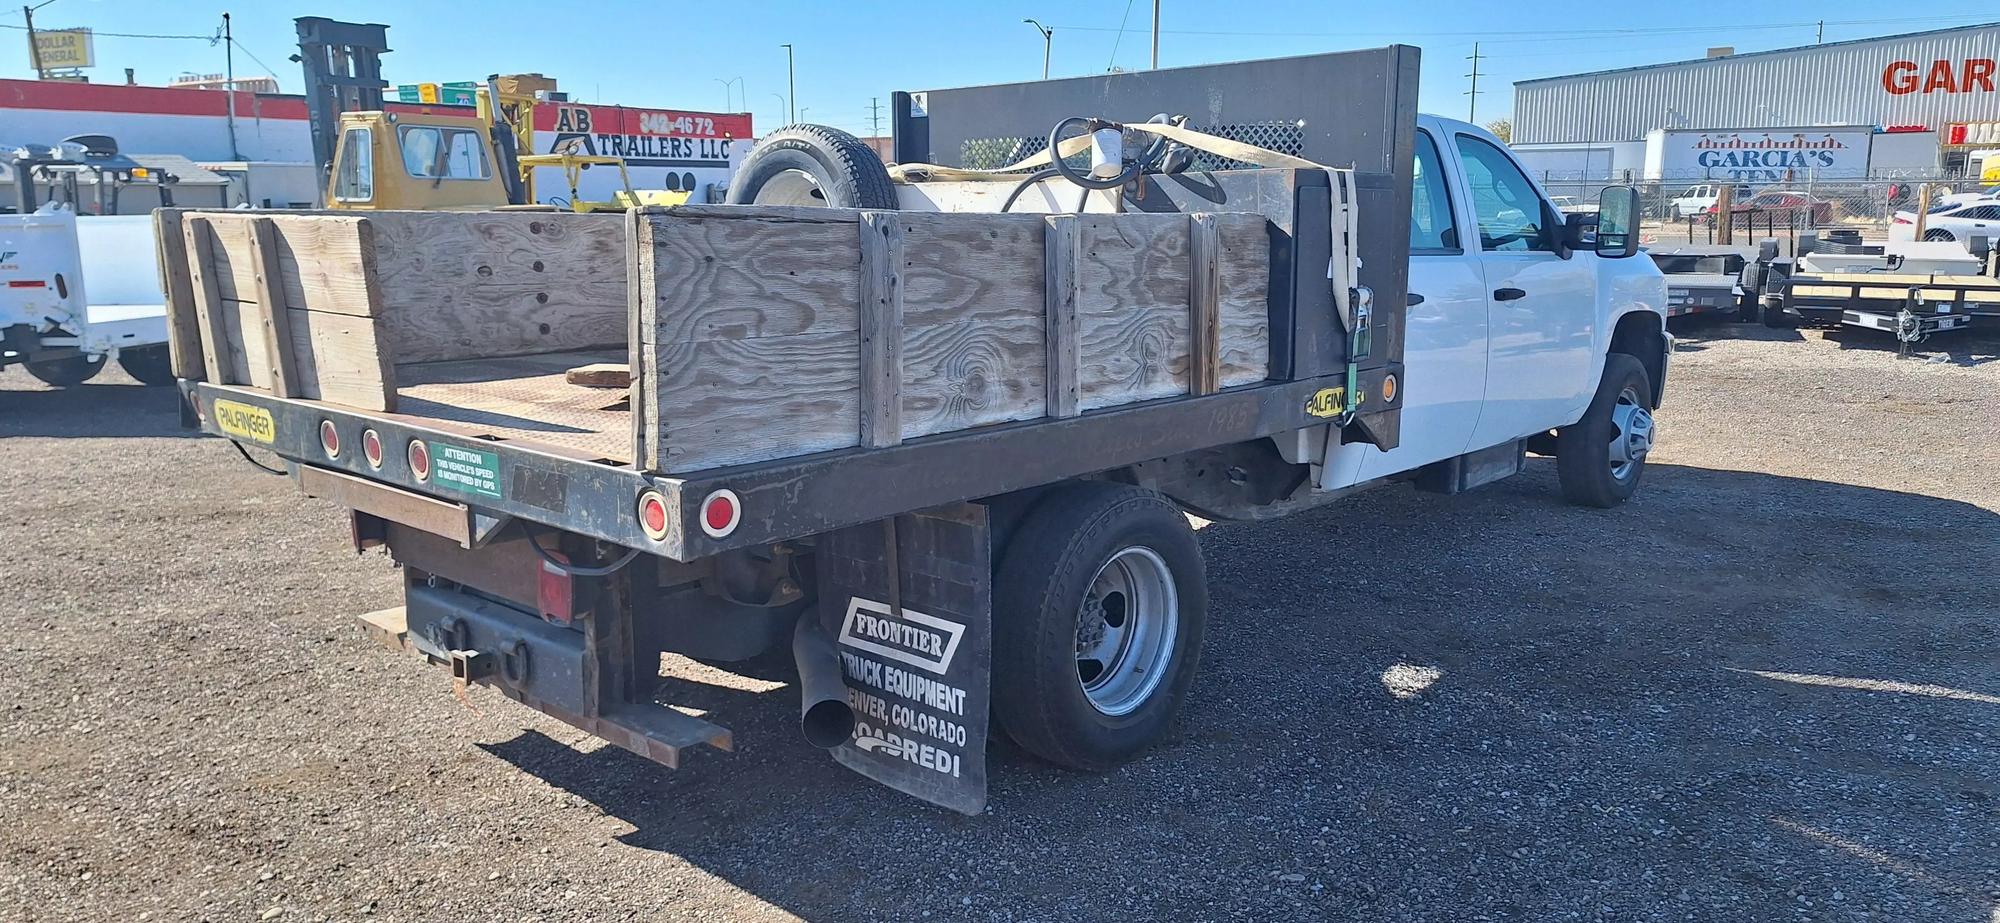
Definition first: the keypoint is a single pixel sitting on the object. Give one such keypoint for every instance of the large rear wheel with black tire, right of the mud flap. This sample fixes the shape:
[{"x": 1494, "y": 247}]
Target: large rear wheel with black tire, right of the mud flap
[{"x": 1097, "y": 574}]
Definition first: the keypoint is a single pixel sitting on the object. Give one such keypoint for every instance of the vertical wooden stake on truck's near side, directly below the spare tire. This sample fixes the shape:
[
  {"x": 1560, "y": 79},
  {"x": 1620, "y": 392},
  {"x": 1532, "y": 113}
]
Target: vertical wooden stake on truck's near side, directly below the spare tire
[{"x": 881, "y": 329}]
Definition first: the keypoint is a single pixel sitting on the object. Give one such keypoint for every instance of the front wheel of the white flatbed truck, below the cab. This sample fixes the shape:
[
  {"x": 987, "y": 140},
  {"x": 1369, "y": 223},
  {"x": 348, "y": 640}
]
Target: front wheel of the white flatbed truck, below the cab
[{"x": 1601, "y": 459}]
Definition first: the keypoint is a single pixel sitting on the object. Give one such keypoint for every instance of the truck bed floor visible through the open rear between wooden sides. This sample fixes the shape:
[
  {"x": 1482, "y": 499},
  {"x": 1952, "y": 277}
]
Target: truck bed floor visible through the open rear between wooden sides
[{"x": 523, "y": 401}]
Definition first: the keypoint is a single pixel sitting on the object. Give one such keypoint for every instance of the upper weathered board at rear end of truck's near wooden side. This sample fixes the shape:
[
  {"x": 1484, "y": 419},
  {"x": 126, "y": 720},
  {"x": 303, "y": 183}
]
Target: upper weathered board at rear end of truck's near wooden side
[{"x": 739, "y": 279}]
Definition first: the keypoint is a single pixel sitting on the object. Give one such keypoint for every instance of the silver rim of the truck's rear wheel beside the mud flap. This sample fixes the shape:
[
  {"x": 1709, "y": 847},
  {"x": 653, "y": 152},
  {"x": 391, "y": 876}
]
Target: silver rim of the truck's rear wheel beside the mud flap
[{"x": 1127, "y": 630}]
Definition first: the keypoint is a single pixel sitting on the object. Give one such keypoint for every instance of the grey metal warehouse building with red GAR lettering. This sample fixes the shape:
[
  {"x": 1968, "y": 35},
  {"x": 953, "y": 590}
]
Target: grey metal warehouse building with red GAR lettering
[{"x": 1943, "y": 83}]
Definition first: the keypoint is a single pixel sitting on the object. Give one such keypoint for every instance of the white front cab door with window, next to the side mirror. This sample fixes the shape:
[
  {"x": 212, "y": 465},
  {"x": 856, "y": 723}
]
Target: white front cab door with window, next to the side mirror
[{"x": 1541, "y": 309}]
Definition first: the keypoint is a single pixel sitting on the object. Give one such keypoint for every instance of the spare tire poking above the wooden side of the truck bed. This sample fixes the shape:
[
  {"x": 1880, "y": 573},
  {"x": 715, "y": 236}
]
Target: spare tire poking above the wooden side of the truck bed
[{"x": 813, "y": 167}]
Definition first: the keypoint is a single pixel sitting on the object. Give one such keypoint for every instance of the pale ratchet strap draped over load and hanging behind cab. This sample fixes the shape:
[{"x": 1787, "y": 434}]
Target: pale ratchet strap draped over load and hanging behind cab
[{"x": 1343, "y": 265}]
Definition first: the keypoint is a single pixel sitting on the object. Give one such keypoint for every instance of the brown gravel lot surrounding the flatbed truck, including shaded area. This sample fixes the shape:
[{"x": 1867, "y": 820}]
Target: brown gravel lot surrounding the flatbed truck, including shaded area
[{"x": 1767, "y": 690}]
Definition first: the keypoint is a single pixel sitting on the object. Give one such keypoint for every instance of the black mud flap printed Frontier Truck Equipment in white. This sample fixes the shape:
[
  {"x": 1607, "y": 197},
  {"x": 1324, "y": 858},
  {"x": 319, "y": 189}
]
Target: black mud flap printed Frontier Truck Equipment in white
[{"x": 917, "y": 680}]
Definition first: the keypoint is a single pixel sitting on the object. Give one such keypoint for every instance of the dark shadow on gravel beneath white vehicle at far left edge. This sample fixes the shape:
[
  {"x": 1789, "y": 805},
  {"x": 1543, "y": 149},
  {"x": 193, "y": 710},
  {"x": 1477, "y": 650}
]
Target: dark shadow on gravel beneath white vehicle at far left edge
[{"x": 91, "y": 411}]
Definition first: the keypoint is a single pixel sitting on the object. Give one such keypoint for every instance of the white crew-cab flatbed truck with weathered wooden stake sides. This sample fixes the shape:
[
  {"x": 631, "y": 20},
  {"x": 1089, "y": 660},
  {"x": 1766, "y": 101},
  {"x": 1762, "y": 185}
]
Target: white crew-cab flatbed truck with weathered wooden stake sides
[{"x": 937, "y": 447}]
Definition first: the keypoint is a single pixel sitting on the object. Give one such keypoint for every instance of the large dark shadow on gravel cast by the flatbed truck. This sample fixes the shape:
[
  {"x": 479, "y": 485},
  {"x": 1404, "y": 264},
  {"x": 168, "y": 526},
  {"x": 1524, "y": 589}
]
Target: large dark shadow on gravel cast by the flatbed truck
[{"x": 1737, "y": 698}]
